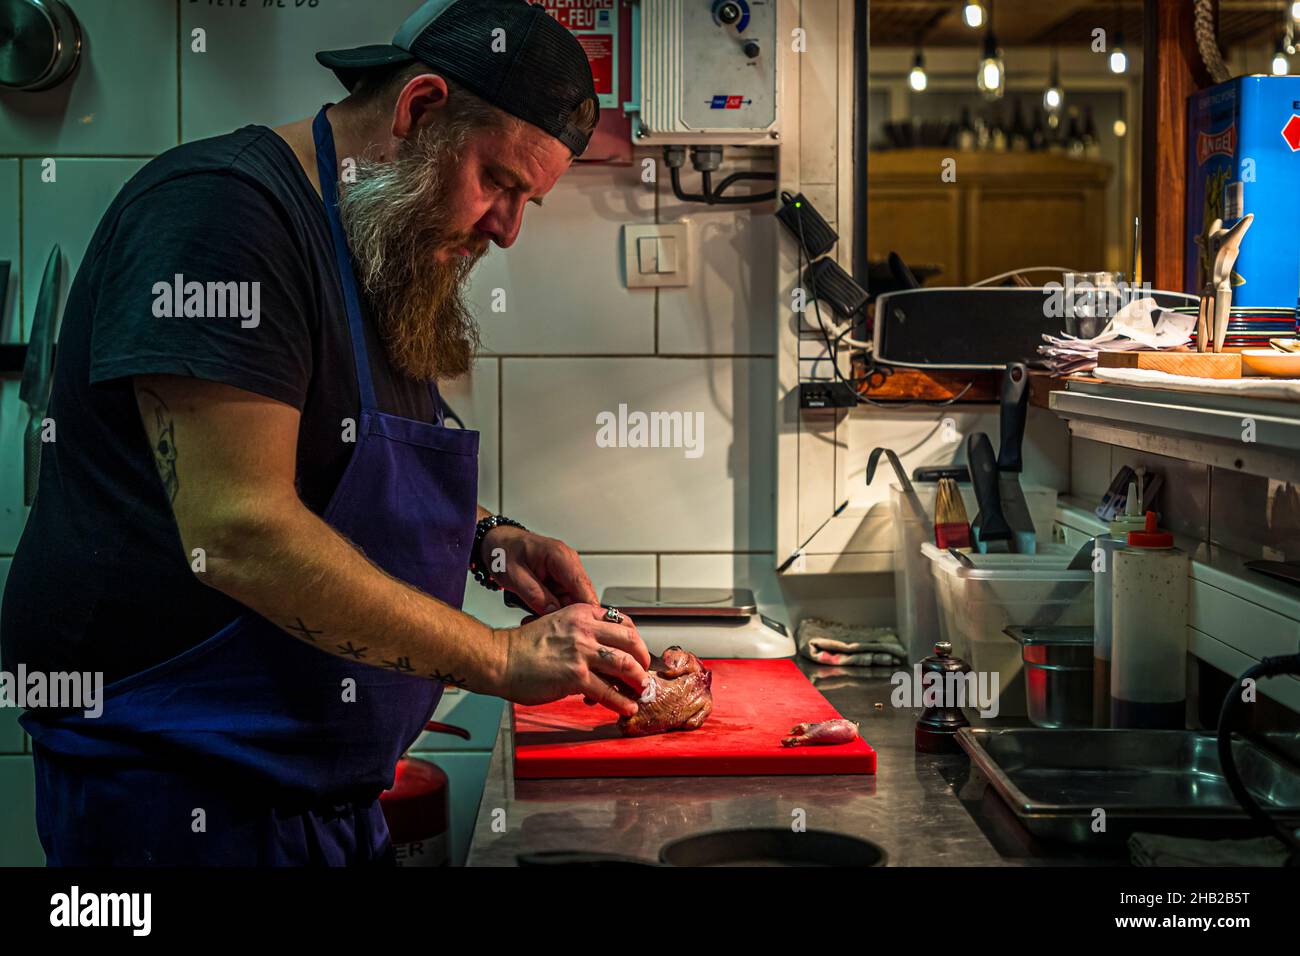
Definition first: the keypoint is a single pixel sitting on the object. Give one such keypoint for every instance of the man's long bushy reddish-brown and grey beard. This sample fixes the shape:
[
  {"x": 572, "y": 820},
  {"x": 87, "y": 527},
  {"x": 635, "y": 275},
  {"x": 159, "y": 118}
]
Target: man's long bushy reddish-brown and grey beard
[{"x": 395, "y": 215}]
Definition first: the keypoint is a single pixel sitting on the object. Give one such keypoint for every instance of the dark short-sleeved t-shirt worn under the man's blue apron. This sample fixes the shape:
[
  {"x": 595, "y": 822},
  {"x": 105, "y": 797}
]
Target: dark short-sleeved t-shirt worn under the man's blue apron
[{"x": 101, "y": 581}]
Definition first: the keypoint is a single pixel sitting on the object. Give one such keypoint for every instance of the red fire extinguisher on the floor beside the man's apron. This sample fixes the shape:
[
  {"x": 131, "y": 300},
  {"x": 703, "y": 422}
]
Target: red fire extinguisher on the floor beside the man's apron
[{"x": 417, "y": 808}]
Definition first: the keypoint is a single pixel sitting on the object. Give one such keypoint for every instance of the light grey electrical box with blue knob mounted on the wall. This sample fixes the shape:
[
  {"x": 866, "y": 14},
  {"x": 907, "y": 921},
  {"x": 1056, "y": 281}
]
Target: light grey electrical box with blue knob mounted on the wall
[{"x": 705, "y": 72}]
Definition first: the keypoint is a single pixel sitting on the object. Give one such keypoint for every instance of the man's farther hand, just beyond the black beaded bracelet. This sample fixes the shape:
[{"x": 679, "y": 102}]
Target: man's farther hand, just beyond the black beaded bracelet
[{"x": 544, "y": 572}]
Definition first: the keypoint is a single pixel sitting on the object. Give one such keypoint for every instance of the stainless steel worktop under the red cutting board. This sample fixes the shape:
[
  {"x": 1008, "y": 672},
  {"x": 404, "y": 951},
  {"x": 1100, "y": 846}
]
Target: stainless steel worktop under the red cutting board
[{"x": 924, "y": 810}]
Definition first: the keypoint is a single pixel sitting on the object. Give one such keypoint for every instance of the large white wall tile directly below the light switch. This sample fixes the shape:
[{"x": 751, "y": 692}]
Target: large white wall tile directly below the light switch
[{"x": 642, "y": 499}]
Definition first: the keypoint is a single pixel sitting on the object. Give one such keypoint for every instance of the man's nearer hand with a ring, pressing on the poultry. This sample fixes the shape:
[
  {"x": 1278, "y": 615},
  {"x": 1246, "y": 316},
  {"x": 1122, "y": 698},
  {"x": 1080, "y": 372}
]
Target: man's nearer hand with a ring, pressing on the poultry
[{"x": 575, "y": 651}]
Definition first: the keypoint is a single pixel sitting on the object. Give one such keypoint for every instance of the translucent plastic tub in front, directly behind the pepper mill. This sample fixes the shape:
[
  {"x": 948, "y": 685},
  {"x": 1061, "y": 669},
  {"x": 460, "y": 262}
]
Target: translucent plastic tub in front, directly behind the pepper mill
[{"x": 978, "y": 604}]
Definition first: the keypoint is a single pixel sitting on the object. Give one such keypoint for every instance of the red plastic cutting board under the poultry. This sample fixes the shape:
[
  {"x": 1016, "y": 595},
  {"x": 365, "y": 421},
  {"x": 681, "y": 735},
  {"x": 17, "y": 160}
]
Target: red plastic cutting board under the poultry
[{"x": 756, "y": 703}]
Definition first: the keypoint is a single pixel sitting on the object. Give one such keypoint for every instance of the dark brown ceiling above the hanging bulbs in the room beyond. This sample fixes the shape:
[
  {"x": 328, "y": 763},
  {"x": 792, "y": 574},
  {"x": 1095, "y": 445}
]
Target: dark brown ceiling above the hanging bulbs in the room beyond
[{"x": 1055, "y": 23}]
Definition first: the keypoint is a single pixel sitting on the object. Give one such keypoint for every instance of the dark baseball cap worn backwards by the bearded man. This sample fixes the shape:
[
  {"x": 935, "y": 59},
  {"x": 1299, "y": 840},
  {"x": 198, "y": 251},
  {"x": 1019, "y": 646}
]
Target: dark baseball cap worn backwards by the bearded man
[{"x": 509, "y": 53}]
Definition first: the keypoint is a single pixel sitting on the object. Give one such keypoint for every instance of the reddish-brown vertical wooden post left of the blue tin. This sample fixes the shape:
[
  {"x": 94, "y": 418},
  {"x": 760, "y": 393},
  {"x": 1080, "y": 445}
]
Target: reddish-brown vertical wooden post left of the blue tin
[{"x": 1172, "y": 72}]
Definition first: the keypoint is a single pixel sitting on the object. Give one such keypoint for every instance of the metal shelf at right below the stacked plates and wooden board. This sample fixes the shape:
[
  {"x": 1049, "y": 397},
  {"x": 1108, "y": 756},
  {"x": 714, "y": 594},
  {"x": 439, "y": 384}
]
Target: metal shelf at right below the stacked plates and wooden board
[{"x": 1234, "y": 432}]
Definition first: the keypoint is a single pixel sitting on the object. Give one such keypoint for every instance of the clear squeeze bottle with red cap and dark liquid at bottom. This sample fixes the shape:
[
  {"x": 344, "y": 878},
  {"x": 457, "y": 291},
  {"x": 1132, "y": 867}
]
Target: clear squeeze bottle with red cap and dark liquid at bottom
[{"x": 1149, "y": 631}]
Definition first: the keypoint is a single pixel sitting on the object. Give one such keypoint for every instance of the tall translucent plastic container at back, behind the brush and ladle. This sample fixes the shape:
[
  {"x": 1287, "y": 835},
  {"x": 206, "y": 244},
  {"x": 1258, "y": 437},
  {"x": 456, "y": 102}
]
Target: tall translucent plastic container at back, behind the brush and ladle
[{"x": 916, "y": 605}]
